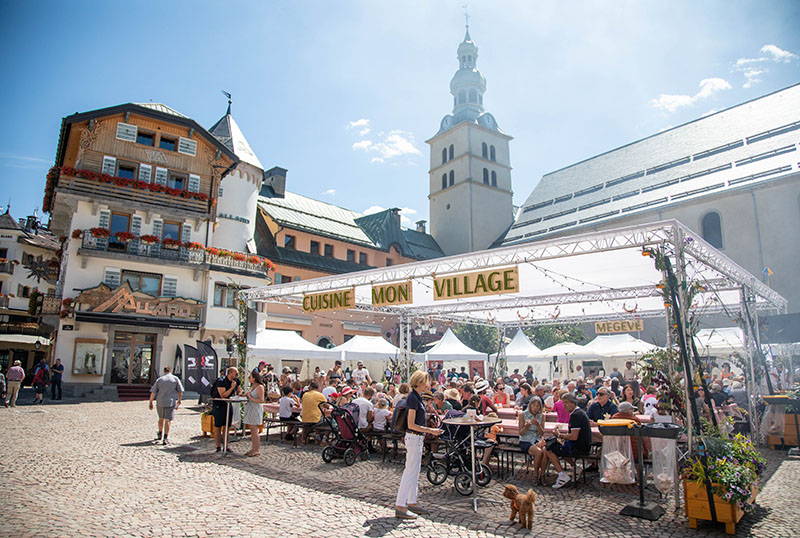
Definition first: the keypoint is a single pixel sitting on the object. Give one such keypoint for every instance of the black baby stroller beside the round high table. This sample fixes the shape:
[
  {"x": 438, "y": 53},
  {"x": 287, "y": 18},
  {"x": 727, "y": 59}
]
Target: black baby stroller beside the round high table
[{"x": 456, "y": 459}]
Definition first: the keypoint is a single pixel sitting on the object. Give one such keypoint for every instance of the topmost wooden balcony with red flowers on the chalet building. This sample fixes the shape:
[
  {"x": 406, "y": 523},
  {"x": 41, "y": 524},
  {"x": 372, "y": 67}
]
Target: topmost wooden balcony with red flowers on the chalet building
[{"x": 131, "y": 195}]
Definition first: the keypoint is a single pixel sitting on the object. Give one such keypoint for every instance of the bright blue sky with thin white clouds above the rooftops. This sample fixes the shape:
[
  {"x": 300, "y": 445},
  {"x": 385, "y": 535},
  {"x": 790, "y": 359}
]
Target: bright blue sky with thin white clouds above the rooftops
[{"x": 345, "y": 94}]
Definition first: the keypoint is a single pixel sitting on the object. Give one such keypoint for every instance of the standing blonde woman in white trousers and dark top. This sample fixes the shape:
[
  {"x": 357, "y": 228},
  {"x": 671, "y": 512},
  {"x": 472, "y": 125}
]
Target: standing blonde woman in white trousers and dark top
[{"x": 406, "y": 506}]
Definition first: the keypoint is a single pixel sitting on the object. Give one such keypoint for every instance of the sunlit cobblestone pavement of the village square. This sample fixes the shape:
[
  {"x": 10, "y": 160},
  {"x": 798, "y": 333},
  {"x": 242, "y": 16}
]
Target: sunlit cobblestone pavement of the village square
[{"x": 91, "y": 469}]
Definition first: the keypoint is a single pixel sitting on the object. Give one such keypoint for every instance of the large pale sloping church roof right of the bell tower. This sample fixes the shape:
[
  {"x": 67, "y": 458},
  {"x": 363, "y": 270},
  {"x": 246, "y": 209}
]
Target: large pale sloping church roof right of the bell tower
[{"x": 747, "y": 144}]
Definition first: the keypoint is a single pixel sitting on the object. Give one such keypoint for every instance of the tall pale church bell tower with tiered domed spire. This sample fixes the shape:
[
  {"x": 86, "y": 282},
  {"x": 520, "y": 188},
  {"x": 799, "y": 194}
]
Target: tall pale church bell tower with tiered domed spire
[{"x": 470, "y": 172}]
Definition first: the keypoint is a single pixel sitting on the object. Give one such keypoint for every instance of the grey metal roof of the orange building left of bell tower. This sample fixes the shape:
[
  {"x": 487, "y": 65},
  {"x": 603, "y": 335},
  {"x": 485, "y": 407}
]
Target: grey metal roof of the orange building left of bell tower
[{"x": 378, "y": 230}]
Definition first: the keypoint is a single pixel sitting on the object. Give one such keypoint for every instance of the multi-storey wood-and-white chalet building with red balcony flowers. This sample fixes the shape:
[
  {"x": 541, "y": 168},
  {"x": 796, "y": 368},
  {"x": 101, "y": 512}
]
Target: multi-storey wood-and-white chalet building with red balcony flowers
[{"x": 136, "y": 193}]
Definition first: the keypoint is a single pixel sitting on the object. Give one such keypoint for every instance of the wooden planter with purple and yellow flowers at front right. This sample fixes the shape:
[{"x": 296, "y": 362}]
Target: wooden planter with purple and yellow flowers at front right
[{"x": 732, "y": 466}]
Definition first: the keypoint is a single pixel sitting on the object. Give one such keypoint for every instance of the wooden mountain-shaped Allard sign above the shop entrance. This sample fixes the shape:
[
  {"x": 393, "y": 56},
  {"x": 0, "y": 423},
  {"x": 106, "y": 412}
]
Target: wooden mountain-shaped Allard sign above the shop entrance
[{"x": 123, "y": 300}]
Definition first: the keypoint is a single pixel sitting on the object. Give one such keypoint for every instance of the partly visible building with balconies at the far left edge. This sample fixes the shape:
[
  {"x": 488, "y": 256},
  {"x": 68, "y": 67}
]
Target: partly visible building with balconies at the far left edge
[{"x": 28, "y": 275}]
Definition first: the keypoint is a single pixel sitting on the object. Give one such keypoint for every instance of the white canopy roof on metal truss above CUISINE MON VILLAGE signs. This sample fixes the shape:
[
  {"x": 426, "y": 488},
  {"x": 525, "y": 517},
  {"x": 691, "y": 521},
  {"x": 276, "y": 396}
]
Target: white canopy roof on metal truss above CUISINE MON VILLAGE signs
[{"x": 588, "y": 277}]
